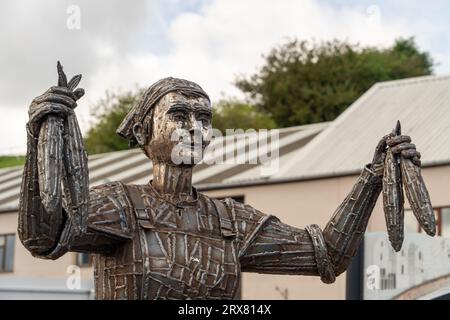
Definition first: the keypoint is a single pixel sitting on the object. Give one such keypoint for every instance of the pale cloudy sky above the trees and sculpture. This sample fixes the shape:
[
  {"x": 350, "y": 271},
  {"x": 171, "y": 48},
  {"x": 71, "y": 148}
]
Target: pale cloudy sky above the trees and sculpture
[{"x": 118, "y": 45}]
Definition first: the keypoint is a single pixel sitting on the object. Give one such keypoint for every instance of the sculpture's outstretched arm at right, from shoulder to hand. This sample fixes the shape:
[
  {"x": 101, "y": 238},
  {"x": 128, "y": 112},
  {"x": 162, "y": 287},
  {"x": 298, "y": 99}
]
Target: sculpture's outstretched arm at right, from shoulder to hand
[{"x": 275, "y": 247}]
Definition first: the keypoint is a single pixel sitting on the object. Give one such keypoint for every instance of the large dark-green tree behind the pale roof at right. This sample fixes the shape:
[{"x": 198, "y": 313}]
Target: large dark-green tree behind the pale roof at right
[{"x": 303, "y": 82}]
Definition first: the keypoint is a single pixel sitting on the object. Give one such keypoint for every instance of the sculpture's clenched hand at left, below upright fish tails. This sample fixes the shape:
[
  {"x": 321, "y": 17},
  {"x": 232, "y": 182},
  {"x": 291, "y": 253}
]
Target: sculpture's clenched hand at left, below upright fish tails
[{"x": 58, "y": 100}]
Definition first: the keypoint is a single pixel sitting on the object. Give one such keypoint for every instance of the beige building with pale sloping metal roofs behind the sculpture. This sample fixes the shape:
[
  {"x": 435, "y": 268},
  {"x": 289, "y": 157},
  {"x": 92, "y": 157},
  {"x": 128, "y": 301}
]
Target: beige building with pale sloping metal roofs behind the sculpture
[{"x": 317, "y": 166}]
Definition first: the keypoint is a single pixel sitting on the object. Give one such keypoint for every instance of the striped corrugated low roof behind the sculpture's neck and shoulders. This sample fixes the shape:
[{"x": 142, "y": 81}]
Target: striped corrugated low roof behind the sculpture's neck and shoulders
[{"x": 132, "y": 166}]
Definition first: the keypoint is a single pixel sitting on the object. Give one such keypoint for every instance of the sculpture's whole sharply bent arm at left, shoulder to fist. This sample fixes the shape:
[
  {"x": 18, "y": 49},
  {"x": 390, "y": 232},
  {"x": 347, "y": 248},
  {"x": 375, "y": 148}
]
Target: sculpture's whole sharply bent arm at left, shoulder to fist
[{"x": 77, "y": 224}]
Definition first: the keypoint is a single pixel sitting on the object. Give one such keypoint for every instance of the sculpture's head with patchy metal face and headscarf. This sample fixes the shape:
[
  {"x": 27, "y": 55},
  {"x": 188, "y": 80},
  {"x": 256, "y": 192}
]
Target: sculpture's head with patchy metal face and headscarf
[{"x": 171, "y": 123}]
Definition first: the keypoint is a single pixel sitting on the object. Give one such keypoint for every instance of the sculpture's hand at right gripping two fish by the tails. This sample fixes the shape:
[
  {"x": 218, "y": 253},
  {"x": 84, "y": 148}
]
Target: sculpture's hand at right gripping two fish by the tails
[{"x": 399, "y": 145}]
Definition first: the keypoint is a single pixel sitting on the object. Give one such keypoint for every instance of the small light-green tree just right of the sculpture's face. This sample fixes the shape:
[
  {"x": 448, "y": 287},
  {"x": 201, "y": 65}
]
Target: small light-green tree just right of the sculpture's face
[{"x": 233, "y": 113}]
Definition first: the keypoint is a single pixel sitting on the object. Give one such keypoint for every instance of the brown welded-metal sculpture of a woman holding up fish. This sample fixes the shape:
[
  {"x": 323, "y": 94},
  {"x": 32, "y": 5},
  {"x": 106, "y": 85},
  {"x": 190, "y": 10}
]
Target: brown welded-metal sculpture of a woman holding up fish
[{"x": 165, "y": 240}]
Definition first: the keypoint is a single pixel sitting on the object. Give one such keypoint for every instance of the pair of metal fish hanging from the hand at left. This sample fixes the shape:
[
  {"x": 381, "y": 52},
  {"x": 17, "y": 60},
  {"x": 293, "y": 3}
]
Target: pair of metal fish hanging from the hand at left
[{"x": 60, "y": 148}]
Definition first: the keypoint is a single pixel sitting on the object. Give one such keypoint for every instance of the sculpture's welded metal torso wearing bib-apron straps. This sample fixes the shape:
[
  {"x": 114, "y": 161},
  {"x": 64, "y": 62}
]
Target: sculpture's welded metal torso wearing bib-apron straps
[{"x": 174, "y": 253}]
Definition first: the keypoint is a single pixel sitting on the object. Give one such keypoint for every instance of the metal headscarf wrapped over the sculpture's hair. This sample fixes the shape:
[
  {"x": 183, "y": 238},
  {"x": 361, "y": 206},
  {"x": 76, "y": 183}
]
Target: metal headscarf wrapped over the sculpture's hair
[{"x": 151, "y": 96}]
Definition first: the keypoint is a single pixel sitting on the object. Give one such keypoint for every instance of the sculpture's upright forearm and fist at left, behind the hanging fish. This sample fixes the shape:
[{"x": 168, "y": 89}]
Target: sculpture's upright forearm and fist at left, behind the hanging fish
[{"x": 39, "y": 229}]
